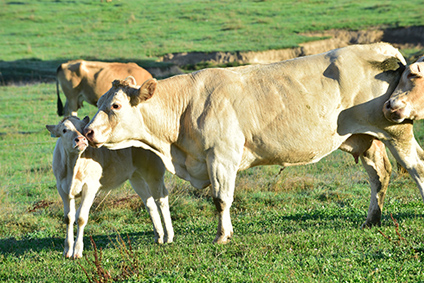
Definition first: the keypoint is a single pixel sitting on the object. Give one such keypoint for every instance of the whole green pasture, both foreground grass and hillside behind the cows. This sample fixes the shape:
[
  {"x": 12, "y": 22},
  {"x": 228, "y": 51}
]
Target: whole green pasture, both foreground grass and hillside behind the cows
[{"x": 300, "y": 225}]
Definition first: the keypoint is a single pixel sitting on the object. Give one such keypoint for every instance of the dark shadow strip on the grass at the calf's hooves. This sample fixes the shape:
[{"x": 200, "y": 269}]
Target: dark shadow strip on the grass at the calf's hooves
[{"x": 13, "y": 247}]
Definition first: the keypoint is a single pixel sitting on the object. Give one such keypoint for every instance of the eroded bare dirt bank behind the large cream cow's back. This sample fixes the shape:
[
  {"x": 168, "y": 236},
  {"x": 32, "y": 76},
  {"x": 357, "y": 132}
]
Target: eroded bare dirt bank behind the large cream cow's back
[{"x": 402, "y": 38}]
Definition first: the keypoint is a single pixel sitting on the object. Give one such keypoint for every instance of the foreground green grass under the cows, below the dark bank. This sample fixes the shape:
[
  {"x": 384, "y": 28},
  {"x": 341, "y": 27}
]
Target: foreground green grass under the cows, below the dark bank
[{"x": 300, "y": 225}]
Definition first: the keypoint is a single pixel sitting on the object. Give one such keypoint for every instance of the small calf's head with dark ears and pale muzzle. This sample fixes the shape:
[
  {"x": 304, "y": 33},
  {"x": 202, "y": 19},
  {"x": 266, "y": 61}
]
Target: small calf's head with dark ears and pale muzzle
[{"x": 69, "y": 130}]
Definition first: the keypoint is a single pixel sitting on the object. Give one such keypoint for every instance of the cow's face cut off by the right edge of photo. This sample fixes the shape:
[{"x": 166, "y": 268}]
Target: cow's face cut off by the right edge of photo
[{"x": 407, "y": 101}]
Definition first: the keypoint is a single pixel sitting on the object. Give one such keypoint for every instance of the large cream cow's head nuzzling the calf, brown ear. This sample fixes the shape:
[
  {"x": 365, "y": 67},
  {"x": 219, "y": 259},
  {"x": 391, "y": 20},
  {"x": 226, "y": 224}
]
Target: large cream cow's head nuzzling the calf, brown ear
[{"x": 118, "y": 120}]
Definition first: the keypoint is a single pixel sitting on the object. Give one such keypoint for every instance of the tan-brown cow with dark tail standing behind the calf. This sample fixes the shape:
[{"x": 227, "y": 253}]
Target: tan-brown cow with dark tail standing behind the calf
[{"x": 88, "y": 80}]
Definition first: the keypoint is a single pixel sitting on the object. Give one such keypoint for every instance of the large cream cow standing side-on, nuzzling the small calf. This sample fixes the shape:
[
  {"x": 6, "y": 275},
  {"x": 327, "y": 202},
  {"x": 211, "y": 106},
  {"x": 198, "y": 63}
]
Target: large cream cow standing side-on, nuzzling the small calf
[{"x": 210, "y": 124}]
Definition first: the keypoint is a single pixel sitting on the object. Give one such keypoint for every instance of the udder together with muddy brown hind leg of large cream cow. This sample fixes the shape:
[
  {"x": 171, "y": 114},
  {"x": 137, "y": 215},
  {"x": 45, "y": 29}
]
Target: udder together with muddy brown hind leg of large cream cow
[{"x": 372, "y": 153}]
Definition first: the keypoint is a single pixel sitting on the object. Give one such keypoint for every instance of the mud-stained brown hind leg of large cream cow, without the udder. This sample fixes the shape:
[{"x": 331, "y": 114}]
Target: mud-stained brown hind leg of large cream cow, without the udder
[{"x": 378, "y": 167}]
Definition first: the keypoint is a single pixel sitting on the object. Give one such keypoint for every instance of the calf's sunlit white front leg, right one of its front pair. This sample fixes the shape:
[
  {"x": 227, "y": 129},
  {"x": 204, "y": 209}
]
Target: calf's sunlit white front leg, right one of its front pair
[{"x": 87, "y": 198}]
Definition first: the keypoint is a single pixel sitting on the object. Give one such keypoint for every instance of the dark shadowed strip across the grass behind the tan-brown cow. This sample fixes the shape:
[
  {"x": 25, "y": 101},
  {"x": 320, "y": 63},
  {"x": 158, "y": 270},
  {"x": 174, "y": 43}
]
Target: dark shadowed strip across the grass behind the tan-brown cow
[{"x": 32, "y": 70}]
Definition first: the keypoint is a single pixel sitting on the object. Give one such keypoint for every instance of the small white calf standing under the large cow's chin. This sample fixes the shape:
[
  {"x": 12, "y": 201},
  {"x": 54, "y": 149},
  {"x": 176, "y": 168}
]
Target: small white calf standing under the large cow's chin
[{"x": 82, "y": 171}]
